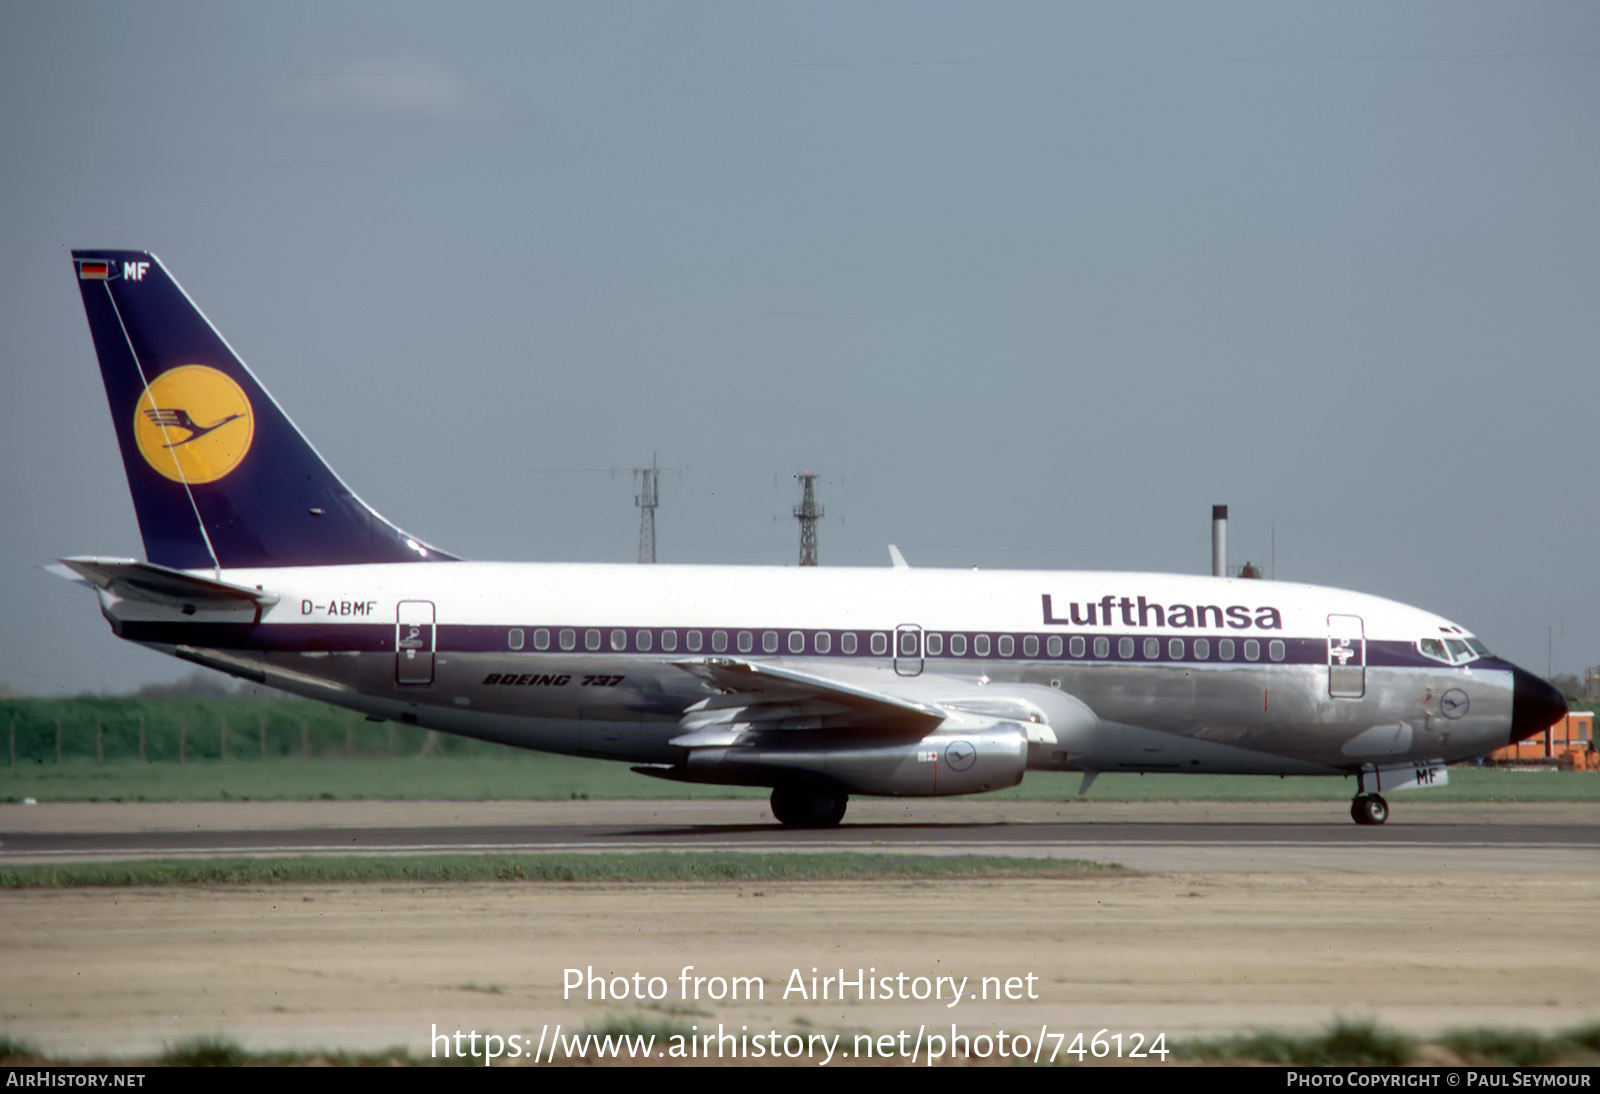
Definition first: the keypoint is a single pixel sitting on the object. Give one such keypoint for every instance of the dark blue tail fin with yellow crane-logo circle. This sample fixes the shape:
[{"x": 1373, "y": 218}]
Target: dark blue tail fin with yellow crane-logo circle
[{"x": 218, "y": 473}]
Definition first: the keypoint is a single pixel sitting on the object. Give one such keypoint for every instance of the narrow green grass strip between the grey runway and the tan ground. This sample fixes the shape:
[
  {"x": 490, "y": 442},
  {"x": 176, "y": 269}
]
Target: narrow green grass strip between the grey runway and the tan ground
[{"x": 825, "y": 866}]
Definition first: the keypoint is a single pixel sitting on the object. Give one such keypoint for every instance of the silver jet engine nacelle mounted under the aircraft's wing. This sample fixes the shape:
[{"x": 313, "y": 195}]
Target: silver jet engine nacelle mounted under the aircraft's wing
[{"x": 964, "y": 756}]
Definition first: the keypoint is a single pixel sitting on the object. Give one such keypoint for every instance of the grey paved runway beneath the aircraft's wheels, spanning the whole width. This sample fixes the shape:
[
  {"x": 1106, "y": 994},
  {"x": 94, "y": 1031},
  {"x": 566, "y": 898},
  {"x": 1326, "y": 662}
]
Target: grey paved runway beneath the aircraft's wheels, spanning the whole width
[{"x": 1177, "y": 837}]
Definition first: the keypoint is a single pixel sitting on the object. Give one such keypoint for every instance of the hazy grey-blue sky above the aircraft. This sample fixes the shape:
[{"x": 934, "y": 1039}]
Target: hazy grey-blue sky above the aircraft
[{"x": 1030, "y": 285}]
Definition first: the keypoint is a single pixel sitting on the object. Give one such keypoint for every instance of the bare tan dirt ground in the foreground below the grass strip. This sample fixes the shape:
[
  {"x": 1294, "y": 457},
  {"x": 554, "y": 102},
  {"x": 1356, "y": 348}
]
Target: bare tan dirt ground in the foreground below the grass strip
[{"x": 388, "y": 965}]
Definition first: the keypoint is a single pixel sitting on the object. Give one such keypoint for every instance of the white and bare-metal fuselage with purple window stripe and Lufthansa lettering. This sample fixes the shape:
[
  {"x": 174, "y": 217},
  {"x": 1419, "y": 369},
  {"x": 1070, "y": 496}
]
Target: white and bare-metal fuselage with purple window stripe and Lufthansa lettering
[{"x": 1154, "y": 673}]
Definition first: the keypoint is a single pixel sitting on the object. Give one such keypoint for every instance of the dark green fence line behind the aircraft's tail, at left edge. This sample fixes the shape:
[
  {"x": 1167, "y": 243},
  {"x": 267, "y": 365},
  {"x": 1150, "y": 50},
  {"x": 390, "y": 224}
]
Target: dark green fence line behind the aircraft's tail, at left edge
[{"x": 206, "y": 730}]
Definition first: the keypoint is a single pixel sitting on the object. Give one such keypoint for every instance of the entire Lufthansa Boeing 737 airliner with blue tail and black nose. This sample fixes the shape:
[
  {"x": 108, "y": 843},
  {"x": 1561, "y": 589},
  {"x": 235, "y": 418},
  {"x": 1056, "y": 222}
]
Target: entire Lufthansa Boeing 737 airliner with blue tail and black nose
[{"x": 815, "y": 682}]
